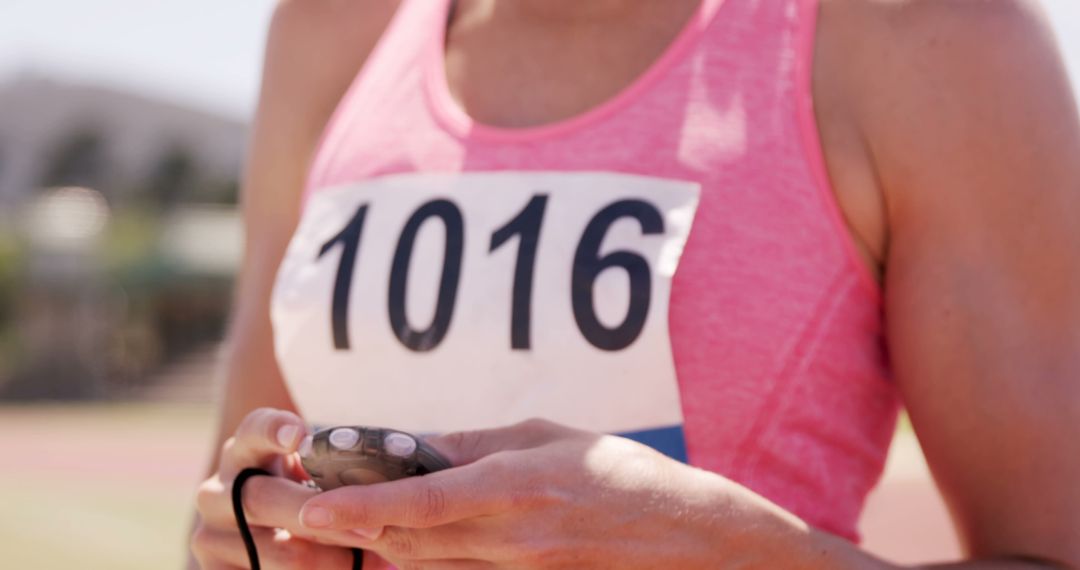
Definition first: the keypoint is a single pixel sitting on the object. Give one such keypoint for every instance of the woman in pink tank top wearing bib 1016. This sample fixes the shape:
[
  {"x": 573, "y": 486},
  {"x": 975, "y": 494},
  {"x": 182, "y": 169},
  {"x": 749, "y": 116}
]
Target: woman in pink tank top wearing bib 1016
[{"x": 700, "y": 225}]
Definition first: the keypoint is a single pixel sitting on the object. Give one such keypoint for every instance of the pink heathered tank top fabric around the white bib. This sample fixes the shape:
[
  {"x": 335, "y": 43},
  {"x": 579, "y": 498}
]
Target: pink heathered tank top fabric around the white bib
[{"x": 776, "y": 324}]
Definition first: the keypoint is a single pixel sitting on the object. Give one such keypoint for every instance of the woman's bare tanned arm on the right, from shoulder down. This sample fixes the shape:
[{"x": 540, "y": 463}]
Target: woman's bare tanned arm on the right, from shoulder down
[{"x": 975, "y": 138}]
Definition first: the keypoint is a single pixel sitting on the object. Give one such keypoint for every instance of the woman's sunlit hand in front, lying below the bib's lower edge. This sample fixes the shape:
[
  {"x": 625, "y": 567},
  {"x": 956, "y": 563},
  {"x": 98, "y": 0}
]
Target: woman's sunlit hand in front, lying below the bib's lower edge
[{"x": 538, "y": 495}]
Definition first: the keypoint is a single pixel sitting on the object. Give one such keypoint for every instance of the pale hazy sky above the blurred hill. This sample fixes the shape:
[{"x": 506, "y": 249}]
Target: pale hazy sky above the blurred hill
[{"x": 206, "y": 52}]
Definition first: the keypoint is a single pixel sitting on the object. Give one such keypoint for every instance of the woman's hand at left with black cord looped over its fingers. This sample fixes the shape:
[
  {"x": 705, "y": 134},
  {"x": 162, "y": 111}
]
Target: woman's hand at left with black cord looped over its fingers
[{"x": 266, "y": 439}]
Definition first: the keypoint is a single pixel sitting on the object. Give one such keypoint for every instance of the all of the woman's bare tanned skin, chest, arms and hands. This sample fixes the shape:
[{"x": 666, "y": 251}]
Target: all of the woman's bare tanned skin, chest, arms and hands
[{"x": 951, "y": 137}]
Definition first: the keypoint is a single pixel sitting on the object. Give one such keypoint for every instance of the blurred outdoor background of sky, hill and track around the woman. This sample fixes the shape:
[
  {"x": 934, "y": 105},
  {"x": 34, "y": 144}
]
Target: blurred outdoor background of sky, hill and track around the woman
[{"x": 123, "y": 129}]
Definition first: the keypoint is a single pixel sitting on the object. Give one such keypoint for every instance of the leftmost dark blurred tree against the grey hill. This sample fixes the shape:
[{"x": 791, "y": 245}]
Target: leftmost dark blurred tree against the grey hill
[{"x": 79, "y": 159}]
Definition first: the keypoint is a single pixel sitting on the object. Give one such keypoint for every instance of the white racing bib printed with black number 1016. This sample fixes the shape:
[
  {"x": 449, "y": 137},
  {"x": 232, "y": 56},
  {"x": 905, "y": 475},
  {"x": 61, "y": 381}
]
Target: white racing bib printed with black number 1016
[{"x": 437, "y": 303}]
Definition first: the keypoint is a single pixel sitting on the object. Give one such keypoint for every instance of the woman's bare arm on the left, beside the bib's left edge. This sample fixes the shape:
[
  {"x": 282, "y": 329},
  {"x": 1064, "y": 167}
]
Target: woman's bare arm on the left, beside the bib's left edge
[{"x": 315, "y": 49}]
